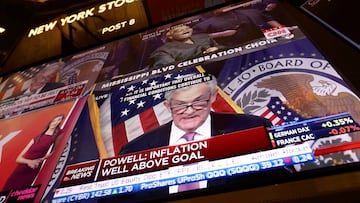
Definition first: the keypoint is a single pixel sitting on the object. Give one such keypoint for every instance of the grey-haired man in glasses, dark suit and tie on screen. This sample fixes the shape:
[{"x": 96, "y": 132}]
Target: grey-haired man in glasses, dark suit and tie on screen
[{"x": 190, "y": 108}]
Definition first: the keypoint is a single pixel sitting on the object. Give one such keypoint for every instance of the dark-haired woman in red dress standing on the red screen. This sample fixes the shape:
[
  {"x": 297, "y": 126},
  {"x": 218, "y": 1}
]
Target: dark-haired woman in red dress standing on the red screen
[{"x": 32, "y": 156}]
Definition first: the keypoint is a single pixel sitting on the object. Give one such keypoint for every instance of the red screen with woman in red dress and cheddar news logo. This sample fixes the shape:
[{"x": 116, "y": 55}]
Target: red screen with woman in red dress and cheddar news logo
[{"x": 33, "y": 147}]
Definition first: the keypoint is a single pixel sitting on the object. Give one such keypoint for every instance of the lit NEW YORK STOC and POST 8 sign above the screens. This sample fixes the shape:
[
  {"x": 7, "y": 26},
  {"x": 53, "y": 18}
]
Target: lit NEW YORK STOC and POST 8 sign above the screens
[{"x": 111, "y": 18}]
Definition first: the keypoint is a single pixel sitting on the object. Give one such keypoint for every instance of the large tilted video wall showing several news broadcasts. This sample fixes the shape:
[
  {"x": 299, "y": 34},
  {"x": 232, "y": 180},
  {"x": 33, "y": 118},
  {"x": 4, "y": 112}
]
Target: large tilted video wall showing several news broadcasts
[{"x": 233, "y": 98}]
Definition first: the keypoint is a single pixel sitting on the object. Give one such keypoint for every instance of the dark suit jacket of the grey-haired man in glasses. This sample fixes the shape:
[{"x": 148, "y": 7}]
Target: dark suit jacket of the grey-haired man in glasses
[{"x": 221, "y": 123}]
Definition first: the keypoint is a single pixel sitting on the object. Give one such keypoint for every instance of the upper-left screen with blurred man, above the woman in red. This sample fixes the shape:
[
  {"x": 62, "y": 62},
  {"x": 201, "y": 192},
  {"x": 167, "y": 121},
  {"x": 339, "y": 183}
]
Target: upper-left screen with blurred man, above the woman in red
[{"x": 51, "y": 83}]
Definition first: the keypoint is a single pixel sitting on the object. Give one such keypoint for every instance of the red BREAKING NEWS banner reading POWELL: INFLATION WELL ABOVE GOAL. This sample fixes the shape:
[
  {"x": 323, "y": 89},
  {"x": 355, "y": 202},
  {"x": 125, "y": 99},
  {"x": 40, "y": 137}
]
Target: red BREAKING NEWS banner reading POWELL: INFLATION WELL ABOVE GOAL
[{"x": 227, "y": 145}]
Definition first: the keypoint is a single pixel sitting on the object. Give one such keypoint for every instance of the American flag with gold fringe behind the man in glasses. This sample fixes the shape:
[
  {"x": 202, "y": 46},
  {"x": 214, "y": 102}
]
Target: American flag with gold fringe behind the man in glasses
[{"x": 131, "y": 118}]
